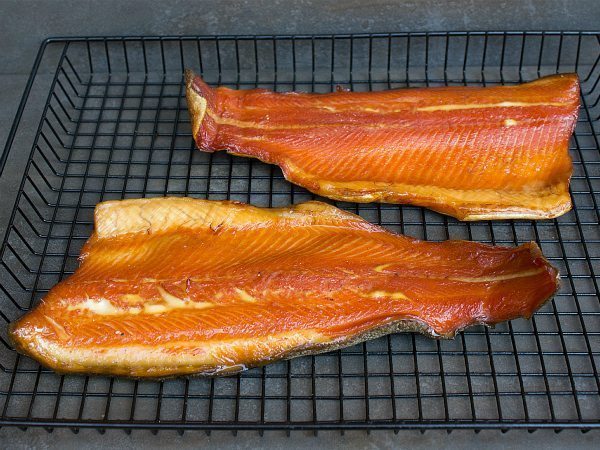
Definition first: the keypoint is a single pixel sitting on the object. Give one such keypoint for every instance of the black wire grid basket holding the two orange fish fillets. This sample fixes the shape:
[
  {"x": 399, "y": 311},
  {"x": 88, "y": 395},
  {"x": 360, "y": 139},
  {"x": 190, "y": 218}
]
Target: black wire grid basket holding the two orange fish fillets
[{"x": 115, "y": 125}]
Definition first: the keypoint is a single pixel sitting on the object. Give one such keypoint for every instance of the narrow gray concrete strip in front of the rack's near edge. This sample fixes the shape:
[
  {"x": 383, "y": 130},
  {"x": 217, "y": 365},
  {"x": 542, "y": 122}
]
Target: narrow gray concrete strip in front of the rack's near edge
[{"x": 458, "y": 440}]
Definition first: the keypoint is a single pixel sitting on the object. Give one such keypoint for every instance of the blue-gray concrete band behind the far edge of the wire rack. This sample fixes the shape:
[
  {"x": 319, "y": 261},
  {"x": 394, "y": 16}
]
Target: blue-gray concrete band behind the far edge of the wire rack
[{"x": 24, "y": 24}]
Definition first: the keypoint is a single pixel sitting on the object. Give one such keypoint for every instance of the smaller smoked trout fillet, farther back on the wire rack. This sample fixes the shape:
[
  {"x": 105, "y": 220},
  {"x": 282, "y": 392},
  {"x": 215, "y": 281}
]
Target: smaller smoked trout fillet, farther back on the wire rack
[{"x": 469, "y": 152}]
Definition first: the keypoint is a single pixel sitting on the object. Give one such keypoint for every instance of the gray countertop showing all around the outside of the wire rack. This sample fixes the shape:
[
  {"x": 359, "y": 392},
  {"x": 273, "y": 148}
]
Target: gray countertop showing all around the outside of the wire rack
[{"x": 23, "y": 25}]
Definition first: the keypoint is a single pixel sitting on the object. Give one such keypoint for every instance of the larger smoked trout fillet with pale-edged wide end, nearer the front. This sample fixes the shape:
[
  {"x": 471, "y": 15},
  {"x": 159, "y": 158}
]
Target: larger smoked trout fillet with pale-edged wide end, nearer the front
[{"x": 178, "y": 286}]
